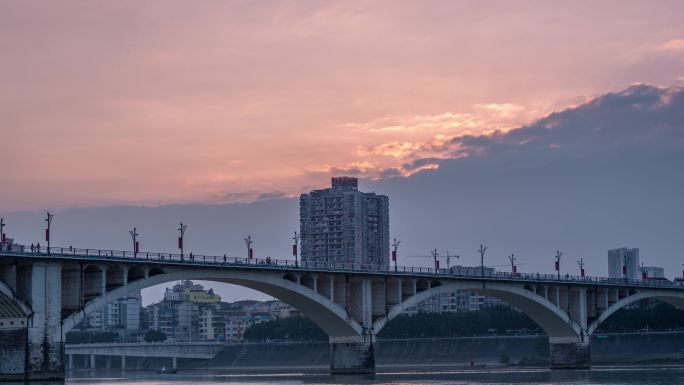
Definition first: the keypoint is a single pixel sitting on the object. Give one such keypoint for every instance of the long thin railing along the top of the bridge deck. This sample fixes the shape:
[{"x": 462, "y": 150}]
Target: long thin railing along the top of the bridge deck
[{"x": 288, "y": 264}]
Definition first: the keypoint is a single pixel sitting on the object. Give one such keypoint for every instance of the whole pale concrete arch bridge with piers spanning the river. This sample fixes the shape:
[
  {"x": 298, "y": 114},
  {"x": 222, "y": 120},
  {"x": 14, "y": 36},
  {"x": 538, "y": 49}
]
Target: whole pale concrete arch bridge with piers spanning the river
[{"x": 43, "y": 294}]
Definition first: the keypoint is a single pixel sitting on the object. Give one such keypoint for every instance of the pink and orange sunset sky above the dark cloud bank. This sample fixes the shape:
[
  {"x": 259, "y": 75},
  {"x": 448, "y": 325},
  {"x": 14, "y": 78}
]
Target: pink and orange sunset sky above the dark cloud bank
[{"x": 156, "y": 102}]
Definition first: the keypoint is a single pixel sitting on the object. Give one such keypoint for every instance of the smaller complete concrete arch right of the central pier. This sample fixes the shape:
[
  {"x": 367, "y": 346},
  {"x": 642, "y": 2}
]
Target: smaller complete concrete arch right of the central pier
[{"x": 555, "y": 322}]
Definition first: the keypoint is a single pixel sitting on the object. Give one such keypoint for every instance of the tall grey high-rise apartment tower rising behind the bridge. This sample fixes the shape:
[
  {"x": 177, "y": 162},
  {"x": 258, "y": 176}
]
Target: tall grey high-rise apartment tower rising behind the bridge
[{"x": 341, "y": 224}]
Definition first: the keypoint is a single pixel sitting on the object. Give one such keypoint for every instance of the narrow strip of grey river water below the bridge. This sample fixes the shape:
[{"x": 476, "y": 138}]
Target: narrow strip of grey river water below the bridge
[{"x": 656, "y": 375}]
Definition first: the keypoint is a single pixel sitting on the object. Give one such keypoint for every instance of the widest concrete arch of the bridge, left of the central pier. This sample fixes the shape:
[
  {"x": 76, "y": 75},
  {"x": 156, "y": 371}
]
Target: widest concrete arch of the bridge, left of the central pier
[{"x": 332, "y": 318}]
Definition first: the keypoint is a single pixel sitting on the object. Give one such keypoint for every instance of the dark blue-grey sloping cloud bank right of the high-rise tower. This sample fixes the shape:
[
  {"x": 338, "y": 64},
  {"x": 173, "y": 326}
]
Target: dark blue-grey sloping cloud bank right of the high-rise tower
[{"x": 608, "y": 173}]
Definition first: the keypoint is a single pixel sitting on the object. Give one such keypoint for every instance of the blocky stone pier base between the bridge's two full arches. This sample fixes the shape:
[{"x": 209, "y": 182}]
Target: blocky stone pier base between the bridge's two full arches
[{"x": 351, "y": 356}]
